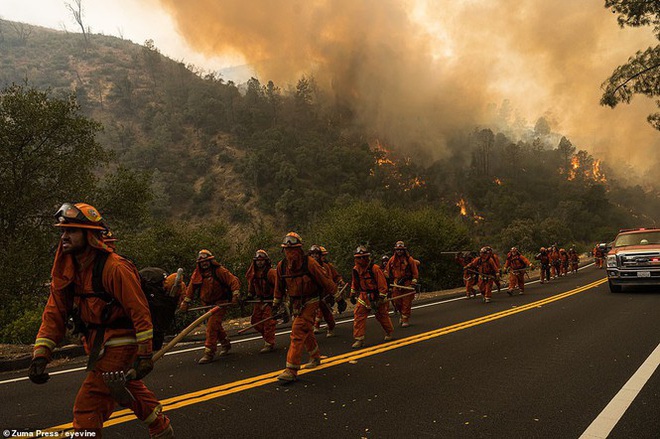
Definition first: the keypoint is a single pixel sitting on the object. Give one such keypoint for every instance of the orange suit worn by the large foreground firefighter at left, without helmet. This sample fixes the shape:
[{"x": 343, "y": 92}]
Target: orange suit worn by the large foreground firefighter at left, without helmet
[{"x": 117, "y": 331}]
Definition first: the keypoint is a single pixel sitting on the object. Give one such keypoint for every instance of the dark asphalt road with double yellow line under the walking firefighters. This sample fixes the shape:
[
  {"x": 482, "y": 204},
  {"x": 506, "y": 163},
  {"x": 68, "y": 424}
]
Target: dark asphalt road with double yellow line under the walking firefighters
[{"x": 541, "y": 365}]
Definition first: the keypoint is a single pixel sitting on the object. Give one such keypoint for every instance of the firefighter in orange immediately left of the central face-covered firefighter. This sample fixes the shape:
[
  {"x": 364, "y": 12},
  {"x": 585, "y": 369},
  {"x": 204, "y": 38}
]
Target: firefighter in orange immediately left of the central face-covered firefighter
[{"x": 261, "y": 285}]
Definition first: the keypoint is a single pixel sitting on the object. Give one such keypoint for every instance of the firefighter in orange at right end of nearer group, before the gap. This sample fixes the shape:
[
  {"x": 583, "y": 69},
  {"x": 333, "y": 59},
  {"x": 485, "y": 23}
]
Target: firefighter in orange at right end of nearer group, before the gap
[{"x": 401, "y": 269}]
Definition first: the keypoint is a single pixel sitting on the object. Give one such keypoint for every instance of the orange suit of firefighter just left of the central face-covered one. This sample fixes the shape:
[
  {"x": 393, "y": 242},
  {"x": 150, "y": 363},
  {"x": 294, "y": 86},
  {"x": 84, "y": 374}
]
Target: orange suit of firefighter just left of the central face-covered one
[{"x": 261, "y": 284}]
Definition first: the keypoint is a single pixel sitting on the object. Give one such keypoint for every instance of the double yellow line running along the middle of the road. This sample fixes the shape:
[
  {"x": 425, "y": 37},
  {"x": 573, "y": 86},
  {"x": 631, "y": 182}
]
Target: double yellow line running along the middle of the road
[{"x": 187, "y": 399}]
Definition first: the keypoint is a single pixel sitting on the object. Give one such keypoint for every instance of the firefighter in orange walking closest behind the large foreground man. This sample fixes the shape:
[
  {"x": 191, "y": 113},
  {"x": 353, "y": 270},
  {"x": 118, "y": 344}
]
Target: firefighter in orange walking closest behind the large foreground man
[{"x": 216, "y": 285}]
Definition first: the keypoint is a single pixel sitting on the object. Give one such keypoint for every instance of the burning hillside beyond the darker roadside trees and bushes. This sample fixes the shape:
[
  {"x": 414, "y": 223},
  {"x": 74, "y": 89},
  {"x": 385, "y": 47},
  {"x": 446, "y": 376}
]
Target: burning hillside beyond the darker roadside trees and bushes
[{"x": 241, "y": 153}]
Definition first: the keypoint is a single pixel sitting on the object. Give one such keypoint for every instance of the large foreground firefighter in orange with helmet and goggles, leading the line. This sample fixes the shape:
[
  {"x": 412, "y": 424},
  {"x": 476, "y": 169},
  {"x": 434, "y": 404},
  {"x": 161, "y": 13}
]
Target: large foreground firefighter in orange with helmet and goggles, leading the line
[{"x": 101, "y": 291}]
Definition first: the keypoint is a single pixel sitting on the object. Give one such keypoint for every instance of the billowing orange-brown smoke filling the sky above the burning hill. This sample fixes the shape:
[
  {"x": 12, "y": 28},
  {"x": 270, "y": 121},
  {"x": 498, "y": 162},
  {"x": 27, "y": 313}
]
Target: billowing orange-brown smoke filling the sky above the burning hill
[{"x": 414, "y": 72}]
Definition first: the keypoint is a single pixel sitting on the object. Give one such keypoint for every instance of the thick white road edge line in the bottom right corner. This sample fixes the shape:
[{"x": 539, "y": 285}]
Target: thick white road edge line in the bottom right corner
[{"x": 603, "y": 425}]
